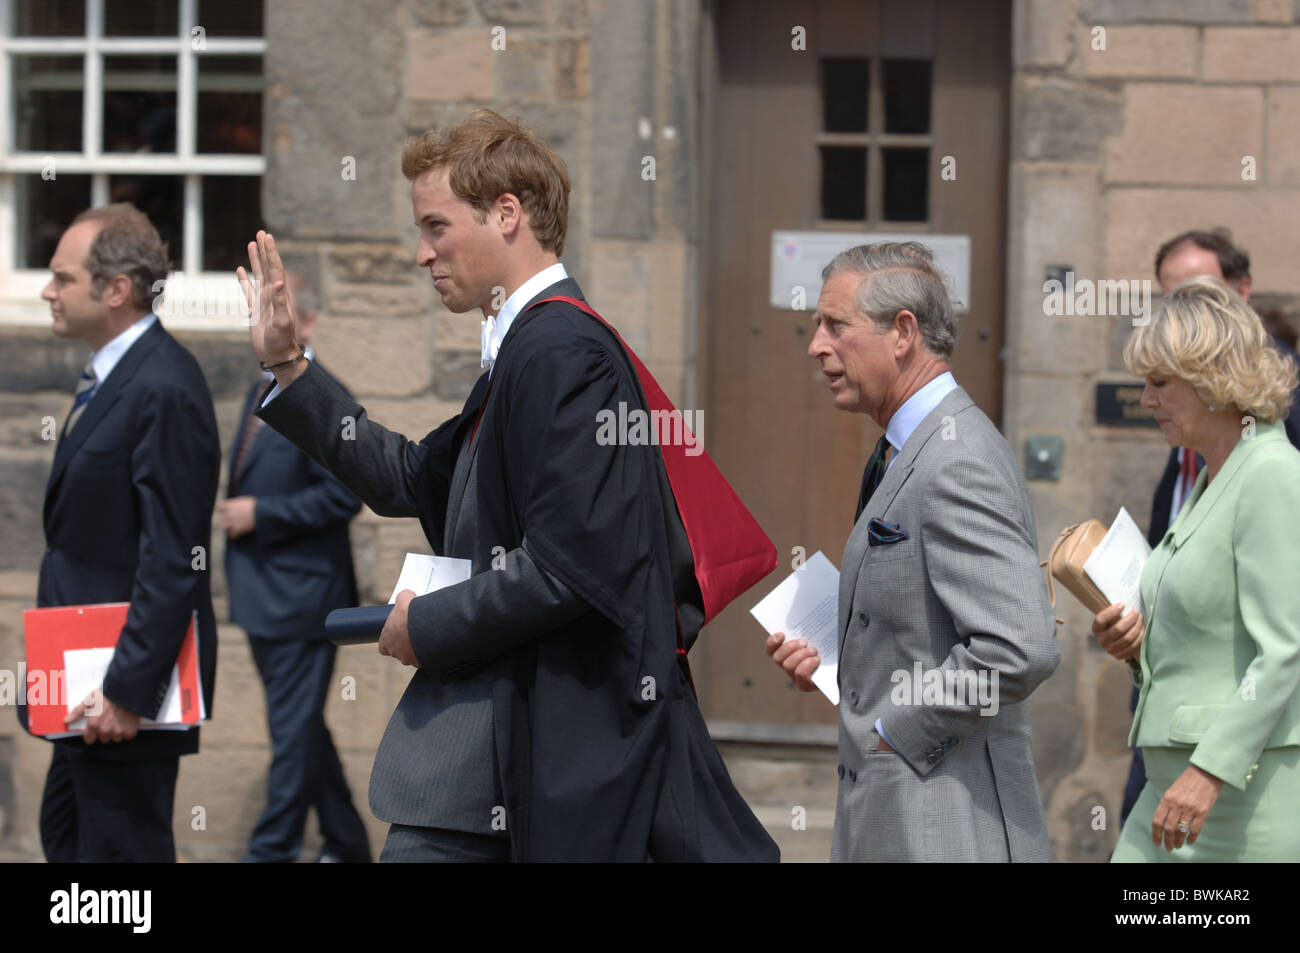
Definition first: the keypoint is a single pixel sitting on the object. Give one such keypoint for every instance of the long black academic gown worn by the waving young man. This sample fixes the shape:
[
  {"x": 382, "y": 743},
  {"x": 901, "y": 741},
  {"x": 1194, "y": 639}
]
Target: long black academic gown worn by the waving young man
[{"x": 603, "y": 751}]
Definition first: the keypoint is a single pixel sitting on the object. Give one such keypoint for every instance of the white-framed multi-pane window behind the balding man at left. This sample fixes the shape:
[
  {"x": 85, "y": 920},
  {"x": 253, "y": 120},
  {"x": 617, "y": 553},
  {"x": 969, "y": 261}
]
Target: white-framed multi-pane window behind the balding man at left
[{"x": 151, "y": 102}]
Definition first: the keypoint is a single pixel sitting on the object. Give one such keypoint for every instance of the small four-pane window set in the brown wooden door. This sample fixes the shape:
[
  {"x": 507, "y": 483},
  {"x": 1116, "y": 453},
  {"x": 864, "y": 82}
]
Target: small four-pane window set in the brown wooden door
[{"x": 876, "y": 141}]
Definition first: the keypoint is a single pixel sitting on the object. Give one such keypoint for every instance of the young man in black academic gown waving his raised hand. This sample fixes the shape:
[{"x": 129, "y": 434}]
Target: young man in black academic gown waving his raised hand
[{"x": 551, "y": 716}]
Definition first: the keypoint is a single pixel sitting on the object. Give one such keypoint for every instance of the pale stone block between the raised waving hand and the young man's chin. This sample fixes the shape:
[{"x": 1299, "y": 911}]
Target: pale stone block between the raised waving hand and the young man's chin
[{"x": 379, "y": 357}]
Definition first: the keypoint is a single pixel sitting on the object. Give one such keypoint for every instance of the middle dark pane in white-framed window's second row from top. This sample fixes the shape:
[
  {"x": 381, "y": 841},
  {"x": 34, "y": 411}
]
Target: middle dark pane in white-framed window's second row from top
[{"x": 140, "y": 105}]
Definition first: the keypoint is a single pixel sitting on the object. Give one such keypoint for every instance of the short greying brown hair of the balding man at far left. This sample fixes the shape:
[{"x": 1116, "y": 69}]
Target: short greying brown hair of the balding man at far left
[{"x": 127, "y": 244}]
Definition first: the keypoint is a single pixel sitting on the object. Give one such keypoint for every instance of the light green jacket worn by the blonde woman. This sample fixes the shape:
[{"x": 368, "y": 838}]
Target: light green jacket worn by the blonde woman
[{"x": 1221, "y": 657}]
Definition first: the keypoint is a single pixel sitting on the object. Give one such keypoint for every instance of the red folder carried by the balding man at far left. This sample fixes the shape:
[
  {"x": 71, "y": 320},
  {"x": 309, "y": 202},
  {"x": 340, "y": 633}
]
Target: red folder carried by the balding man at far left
[{"x": 50, "y": 633}]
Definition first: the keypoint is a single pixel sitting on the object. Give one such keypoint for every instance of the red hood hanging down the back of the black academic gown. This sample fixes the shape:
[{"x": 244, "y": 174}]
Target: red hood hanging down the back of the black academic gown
[{"x": 731, "y": 551}]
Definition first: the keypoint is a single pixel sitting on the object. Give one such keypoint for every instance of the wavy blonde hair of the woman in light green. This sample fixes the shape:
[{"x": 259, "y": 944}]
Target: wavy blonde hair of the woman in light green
[{"x": 1207, "y": 336}]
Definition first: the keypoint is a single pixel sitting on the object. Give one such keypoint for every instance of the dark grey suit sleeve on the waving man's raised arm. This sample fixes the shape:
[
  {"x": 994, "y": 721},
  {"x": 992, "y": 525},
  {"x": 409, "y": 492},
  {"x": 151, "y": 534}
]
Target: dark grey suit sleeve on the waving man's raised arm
[{"x": 322, "y": 419}]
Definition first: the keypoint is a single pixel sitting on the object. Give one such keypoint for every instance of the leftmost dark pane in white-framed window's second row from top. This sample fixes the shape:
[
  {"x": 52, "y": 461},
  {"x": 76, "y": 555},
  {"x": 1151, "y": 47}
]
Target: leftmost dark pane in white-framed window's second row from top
[{"x": 47, "y": 98}]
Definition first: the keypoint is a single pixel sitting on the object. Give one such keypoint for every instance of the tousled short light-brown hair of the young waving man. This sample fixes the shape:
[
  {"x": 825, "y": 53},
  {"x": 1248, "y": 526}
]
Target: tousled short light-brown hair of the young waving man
[{"x": 487, "y": 157}]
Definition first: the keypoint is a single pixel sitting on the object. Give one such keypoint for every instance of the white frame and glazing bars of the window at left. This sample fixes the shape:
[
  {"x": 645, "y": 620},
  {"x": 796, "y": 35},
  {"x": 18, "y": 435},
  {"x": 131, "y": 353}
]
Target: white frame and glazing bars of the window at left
[{"x": 210, "y": 302}]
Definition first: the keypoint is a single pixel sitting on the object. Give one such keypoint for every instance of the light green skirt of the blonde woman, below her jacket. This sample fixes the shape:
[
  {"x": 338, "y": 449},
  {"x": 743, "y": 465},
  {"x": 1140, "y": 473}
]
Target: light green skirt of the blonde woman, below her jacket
[{"x": 1259, "y": 825}]
